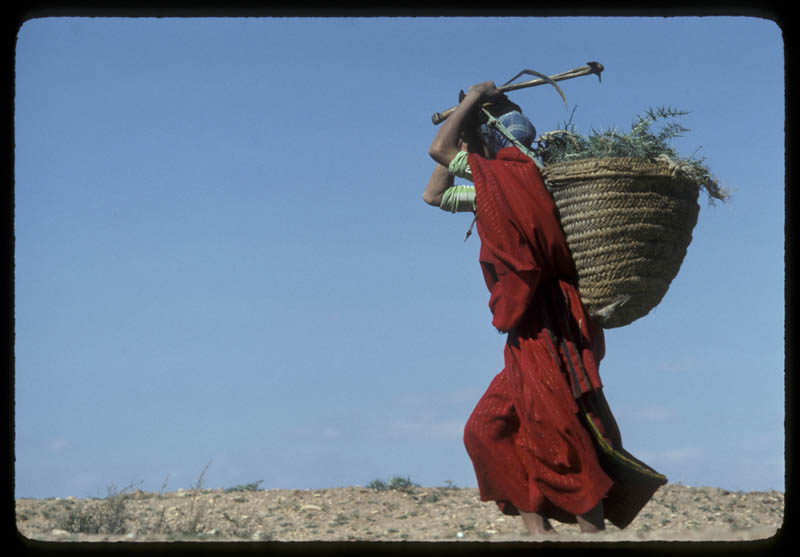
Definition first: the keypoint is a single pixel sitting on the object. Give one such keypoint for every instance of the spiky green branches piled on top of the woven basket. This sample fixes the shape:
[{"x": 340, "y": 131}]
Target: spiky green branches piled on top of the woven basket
[{"x": 642, "y": 141}]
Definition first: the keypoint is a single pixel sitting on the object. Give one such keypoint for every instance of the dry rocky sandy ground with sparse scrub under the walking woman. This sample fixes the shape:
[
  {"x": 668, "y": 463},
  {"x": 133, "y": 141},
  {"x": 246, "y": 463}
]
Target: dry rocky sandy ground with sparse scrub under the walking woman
[{"x": 412, "y": 513}]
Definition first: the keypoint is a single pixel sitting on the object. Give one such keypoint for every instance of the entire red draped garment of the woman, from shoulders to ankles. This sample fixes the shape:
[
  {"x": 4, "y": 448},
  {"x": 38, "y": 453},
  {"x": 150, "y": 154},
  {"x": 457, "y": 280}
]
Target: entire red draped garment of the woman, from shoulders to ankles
[{"x": 529, "y": 447}]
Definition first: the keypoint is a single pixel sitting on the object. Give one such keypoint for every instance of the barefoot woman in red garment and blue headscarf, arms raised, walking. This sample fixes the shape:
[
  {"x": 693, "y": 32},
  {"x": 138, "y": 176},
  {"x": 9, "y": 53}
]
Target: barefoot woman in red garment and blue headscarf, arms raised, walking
[{"x": 530, "y": 436}]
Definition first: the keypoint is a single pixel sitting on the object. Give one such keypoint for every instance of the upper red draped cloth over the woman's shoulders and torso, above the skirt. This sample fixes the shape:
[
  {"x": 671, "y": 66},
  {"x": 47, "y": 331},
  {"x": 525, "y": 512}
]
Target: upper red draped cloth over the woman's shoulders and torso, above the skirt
[{"x": 528, "y": 268}]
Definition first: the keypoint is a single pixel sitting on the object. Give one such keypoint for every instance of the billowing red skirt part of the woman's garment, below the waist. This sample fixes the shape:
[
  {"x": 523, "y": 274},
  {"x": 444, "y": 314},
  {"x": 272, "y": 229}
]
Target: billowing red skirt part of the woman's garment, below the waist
[{"x": 540, "y": 462}]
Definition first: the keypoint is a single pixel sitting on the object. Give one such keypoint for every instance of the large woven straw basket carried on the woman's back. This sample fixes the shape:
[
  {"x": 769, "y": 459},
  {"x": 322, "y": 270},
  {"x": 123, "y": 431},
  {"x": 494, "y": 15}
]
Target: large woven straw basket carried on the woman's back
[{"x": 628, "y": 223}]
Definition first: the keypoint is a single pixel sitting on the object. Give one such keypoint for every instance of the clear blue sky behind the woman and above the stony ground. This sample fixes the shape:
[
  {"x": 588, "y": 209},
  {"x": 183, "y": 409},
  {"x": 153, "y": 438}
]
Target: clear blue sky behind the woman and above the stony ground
[{"x": 222, "y": 253}]
